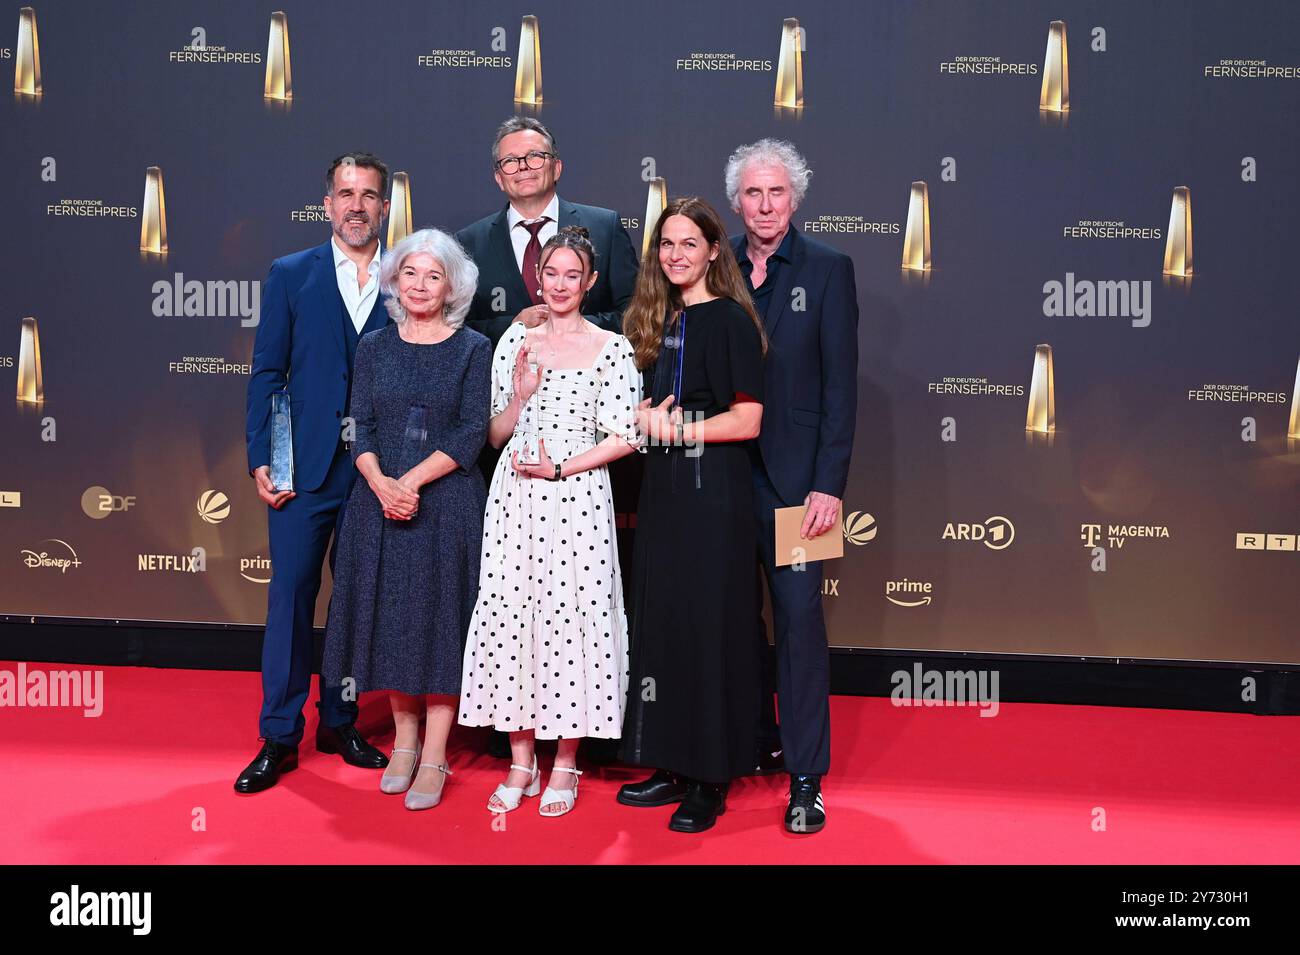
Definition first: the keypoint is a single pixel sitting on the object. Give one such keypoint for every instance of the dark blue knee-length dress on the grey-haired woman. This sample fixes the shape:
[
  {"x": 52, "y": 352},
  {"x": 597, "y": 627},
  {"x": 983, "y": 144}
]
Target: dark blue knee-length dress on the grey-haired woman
[{"x": 405, "y": 591}]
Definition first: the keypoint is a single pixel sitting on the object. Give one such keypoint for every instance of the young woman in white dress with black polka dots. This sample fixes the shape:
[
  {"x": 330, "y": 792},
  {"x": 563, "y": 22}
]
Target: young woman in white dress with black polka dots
[{"x": 547, "y": 657}]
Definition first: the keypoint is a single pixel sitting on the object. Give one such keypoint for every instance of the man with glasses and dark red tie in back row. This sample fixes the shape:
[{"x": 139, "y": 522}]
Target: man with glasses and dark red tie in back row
[{"x": 508, "y": 245}]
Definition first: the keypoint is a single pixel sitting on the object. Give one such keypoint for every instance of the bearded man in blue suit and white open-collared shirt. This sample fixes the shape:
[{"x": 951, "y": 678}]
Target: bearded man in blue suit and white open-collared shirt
[{"x": 315, "y": 307}]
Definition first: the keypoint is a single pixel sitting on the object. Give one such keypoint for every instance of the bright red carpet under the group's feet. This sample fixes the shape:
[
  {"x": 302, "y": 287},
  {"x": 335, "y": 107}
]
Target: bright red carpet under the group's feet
[{"x": 917, "y": 785}]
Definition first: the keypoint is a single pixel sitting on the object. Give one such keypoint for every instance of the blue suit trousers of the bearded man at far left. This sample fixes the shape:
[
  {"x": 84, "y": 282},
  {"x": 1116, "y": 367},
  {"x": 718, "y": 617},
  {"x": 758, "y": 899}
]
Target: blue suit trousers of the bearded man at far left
[{"x": 300, "y": 533}]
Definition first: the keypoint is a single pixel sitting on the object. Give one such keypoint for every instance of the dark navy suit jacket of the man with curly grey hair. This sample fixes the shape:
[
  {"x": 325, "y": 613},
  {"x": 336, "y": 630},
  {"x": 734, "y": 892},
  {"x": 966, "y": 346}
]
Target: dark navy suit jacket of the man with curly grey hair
[{"x": 811, "y": 380}]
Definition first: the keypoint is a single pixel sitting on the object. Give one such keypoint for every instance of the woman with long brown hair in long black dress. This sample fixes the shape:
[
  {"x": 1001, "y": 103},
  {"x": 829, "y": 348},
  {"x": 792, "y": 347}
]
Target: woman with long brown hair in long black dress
[{"x": 694, "y": 691}]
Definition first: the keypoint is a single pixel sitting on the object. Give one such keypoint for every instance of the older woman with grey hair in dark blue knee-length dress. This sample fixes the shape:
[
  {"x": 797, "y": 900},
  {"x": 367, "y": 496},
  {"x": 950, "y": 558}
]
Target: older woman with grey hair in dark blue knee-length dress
[{"x": 406, "y": 571}]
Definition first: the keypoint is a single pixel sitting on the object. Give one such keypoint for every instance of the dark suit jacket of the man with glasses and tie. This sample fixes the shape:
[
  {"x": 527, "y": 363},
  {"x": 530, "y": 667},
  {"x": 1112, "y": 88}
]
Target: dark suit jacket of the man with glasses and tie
[{"x": 488, "y": 244}]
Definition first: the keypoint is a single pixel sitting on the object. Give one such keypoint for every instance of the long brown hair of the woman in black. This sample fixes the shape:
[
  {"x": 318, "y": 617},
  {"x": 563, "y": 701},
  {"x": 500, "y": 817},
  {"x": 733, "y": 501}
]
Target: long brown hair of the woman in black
[{"x": 656, "y": 302}]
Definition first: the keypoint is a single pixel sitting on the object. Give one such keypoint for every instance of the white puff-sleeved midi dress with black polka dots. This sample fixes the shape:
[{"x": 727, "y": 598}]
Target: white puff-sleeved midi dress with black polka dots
[{"x": 548, "y": 645}]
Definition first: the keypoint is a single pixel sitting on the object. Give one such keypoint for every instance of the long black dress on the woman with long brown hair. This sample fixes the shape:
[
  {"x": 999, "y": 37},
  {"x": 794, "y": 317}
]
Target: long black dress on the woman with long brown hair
[{"x": 695, "y": 665}]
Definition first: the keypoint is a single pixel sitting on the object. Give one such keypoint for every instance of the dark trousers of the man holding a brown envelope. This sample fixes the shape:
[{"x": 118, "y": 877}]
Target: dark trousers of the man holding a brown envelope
[{"x": 801, "y": 678}]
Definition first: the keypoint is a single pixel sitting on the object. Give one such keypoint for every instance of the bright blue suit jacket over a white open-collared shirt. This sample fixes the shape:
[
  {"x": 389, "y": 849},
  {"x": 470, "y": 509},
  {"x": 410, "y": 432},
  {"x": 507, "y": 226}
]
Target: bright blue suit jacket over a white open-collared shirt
[{"x": 306, "y": 344}]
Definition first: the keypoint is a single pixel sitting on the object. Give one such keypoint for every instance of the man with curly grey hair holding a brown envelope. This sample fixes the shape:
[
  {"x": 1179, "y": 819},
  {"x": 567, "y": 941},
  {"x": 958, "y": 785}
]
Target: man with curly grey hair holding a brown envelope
[{"x": 807, "y": 294}]
